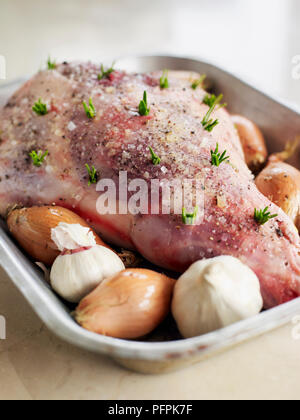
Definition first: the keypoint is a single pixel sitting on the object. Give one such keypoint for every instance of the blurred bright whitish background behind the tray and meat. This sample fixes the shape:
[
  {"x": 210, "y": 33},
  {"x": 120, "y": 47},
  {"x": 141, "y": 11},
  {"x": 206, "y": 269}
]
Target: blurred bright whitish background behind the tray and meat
[{"x": 256, "y": 39}]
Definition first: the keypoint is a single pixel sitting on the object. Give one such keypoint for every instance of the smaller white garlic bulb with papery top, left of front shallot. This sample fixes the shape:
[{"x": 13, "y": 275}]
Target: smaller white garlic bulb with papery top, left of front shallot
[{"x": 82, "y": 266}]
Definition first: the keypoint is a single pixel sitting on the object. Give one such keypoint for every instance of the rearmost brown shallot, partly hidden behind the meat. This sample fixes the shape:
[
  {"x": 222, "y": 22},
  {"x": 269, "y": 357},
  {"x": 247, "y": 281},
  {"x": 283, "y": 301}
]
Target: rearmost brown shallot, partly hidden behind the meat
[{"x": 252, "y": 141}]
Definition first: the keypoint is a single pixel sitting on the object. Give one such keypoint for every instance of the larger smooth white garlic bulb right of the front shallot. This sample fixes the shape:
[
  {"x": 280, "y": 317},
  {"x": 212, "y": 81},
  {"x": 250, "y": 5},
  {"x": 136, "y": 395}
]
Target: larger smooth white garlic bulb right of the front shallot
[{"x": 213, "y": 294}]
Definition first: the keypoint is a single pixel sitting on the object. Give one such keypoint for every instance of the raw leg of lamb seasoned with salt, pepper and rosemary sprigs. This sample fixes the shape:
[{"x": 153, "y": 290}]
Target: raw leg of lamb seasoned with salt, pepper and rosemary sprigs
[{"x": 118, "y": 139}]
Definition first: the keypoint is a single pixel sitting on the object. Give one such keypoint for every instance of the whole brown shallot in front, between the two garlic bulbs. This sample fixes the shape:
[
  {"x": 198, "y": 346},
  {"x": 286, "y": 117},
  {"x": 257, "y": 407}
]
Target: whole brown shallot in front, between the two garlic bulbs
[{"x": 129, "y": 305}]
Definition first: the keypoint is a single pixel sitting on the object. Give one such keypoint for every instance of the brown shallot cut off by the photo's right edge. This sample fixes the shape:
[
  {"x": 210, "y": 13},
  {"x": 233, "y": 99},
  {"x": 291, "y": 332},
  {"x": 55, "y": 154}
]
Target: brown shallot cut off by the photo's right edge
[{"x": 280, "y": 182}]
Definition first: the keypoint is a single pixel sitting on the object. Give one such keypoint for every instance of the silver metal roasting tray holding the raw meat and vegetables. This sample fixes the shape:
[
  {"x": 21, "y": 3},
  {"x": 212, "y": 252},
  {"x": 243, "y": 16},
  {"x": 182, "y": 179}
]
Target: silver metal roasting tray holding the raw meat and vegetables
[{"x": 279, "y": 122}]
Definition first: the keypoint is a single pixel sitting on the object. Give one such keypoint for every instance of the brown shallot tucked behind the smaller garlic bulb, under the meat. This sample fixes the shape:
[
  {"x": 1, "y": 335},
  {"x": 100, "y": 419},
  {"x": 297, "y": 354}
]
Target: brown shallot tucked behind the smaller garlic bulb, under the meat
[{"x": 31, "y": 227}]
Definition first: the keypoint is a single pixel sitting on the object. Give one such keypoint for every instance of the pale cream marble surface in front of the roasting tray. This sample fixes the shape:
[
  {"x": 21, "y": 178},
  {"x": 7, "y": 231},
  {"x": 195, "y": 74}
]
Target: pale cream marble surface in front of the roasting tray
[{"x": 36, "y": 365}]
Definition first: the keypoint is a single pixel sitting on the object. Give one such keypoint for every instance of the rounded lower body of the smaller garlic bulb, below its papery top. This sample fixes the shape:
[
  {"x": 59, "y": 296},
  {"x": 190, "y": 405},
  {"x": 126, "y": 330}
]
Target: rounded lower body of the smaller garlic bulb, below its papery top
[{"x": 75, "y": 273}]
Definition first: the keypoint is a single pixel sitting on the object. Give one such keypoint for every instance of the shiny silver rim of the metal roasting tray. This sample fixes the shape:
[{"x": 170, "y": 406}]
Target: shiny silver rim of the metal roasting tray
[{"x": 68, "y": 330}]
